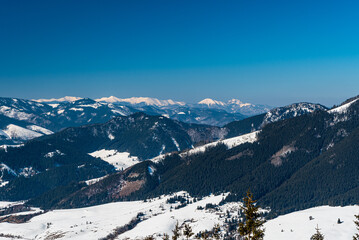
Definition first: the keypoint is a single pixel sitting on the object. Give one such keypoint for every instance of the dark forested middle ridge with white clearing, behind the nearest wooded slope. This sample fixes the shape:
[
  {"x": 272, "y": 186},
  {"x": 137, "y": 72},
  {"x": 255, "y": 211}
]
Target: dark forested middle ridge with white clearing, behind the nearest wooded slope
[{"x": 82, "y": 153}]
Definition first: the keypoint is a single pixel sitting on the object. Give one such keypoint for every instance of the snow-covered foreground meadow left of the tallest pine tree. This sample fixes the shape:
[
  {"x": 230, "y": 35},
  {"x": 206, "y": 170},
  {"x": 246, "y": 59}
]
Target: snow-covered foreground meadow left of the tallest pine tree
[{"x": 98, "y": 221}]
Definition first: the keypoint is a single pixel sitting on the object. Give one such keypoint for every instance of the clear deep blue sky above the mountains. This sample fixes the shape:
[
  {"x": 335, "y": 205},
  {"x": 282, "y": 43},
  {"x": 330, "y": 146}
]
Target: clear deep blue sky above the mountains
[{"x": 270, "y": 52}]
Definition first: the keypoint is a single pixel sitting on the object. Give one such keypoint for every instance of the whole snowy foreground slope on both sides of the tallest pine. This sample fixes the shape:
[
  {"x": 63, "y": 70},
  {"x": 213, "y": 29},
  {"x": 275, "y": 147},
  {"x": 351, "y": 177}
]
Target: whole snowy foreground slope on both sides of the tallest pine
[{"x": 160, "y": 217}]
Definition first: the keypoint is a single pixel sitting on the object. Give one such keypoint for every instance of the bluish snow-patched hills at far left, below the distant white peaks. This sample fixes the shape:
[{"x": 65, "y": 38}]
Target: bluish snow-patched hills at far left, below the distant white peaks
[{"x": 22, "y": 119}]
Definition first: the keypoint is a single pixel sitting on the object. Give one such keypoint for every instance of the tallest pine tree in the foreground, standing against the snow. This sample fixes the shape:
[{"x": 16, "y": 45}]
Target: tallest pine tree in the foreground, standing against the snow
[{"x": 251, "y": 229}]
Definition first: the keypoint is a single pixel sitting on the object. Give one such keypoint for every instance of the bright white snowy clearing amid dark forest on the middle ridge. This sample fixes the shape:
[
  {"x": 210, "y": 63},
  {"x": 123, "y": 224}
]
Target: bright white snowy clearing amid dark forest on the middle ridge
[{"x": 120, "y": 160}]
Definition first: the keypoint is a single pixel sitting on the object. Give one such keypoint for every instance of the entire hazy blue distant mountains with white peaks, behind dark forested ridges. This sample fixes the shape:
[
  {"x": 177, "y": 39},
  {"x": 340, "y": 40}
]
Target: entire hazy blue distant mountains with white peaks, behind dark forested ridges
[{"x": 22, "y": 119}]
